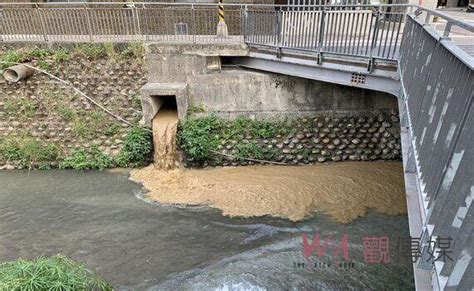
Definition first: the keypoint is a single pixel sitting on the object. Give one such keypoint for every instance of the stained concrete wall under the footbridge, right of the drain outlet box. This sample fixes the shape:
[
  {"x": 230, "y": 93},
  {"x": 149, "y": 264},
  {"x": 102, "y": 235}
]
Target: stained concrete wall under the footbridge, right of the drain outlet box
[{"x": 235, "y": 91}]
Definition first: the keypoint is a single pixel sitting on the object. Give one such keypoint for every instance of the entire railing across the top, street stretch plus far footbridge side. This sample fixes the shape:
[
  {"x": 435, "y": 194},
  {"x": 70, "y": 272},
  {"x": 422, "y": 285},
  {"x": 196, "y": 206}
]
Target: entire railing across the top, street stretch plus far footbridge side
[{"x": 357, "y": 30}]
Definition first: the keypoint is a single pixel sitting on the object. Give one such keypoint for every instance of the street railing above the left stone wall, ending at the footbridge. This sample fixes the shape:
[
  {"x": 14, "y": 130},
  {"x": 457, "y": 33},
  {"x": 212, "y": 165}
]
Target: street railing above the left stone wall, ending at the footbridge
[{"x": 79, "y": 22}]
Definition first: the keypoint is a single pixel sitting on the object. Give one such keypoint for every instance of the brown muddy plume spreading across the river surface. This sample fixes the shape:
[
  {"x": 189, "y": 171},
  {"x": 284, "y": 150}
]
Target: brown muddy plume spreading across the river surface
[{"x": 343, "y": 190}]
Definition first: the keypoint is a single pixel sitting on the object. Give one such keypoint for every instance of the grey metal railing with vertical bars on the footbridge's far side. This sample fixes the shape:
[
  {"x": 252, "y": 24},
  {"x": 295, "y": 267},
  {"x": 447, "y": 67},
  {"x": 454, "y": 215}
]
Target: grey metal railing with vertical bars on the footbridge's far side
[{"x": 363, "y": 30}]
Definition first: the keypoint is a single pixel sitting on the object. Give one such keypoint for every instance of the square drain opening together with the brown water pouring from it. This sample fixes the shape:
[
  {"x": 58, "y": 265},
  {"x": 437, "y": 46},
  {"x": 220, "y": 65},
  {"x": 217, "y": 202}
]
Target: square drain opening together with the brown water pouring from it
[{"x": 165, "y": 126}]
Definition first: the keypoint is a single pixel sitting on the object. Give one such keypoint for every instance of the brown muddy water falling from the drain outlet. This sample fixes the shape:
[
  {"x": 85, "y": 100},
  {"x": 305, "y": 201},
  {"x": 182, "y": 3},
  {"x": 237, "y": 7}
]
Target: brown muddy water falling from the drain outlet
[{"x": 165, "y": 125}]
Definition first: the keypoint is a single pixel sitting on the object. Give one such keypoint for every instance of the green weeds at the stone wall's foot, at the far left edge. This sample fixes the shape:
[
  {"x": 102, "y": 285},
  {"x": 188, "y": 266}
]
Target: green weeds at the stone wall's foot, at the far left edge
[{"x": 28, "y": 152}]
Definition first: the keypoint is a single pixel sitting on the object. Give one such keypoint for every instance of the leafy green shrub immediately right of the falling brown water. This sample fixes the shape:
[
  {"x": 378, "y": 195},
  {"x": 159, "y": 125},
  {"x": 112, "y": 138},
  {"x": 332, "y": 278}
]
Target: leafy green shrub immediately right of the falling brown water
[{"x": 198, "y": 136}]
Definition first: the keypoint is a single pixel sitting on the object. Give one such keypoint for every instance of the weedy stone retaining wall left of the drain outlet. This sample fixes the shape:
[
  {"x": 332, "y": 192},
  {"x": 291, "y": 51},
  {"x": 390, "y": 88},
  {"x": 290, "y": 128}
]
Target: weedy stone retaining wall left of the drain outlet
[{"x": 49, "y": 113}]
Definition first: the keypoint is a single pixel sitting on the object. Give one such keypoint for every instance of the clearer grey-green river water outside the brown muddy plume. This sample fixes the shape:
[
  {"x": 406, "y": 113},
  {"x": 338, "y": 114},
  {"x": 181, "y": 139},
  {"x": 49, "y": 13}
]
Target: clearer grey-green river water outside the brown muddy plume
[{"x": 103, "y": 220}]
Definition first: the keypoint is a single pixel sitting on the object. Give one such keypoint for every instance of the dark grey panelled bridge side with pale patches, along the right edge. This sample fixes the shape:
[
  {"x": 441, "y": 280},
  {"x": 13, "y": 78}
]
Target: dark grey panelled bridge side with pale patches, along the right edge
[{"x": 438, "y": 83}]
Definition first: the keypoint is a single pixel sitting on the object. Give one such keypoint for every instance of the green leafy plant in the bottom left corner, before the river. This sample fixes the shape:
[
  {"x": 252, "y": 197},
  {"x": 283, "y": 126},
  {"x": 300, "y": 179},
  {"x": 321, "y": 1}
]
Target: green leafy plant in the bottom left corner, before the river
[{"x": 54, "y": 273}]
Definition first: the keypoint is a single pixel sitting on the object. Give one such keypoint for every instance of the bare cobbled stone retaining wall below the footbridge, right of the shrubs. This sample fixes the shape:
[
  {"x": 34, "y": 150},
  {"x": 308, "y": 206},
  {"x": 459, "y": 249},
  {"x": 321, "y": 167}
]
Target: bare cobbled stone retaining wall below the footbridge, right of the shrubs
[{"x": 356, "y": 136}]
